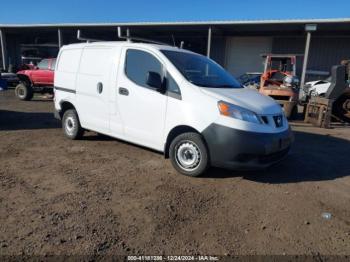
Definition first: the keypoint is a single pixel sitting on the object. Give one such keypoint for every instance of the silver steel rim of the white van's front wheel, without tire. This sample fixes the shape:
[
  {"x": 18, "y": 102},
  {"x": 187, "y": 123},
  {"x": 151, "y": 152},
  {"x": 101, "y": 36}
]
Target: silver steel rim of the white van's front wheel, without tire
[{"x": 188, "y": 155}]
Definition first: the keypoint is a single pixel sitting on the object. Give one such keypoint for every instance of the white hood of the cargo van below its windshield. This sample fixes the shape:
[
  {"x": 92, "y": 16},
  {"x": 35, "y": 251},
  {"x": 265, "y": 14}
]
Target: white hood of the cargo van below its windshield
[{"x": 246, "y": 98}]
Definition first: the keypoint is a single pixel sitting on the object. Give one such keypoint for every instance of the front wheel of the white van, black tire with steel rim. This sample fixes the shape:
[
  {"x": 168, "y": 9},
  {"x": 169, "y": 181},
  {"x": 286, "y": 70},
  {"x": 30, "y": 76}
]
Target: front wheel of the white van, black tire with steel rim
[{"x": 189, "y": 147}]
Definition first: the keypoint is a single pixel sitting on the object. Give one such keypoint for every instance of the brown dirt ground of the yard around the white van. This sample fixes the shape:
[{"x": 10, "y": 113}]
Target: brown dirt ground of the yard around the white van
[{"x": 103, "y": 196}]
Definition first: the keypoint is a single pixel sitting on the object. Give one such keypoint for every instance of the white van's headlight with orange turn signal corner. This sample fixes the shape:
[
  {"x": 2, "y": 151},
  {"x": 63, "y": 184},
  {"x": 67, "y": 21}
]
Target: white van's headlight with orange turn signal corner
[{"x": 238, "y": 112}]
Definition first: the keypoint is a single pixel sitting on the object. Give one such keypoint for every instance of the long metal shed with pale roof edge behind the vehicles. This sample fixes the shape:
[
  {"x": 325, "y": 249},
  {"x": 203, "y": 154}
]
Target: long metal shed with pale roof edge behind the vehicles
[{"x": 237, "y": 45}]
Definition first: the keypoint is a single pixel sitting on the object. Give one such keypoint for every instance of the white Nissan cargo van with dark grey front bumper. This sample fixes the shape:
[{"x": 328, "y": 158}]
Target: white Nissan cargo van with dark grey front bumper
[{"x": 171, "y": 100}]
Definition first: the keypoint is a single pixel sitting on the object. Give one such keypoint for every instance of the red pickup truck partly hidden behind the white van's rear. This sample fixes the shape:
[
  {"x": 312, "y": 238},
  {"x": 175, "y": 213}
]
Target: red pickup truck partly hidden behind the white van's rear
[{"x": 38, "y": 79}]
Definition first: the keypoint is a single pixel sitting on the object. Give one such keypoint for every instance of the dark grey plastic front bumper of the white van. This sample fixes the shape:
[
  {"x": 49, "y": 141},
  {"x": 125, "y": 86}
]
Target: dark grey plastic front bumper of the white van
[{"x": 237, "y": 149}]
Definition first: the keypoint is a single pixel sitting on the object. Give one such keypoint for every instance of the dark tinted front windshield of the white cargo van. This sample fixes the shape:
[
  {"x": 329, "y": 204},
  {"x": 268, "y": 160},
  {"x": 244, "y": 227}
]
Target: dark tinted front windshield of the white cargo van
[{"x": 201, "y": 71}]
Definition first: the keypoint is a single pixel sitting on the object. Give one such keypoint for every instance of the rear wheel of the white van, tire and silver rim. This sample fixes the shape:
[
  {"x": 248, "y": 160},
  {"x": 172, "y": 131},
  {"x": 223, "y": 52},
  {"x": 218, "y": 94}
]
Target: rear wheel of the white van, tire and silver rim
[{"x": 71, "y": 125}]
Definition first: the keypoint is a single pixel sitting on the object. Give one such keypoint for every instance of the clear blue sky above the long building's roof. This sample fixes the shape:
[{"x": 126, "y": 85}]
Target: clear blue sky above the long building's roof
[{"x": 61, "y": 11}]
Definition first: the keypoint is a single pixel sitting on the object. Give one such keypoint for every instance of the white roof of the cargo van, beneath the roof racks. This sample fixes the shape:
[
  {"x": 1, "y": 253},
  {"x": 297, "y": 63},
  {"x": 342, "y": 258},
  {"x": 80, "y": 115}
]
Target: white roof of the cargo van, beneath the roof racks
[{"x": 125, "y": 43}]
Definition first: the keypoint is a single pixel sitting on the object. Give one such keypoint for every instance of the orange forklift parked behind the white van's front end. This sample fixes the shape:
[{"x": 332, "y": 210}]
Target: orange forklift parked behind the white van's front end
[{"x": 279, "y": 81}]
